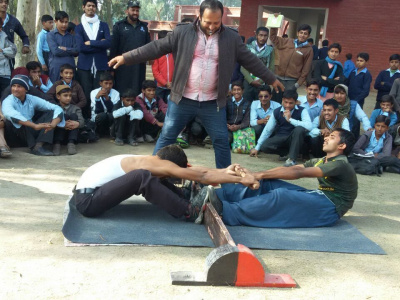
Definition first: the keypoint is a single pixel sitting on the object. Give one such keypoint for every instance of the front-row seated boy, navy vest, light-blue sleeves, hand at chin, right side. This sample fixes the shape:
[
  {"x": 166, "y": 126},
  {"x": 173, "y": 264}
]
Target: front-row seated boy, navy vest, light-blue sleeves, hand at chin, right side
[{"x": 290, "y": 124}]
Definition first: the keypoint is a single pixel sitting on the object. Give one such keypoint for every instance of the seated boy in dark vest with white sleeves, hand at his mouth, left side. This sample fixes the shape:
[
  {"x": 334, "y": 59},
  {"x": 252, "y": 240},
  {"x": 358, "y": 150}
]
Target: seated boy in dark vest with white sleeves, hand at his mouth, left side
[{"x": 103, "y": 100}]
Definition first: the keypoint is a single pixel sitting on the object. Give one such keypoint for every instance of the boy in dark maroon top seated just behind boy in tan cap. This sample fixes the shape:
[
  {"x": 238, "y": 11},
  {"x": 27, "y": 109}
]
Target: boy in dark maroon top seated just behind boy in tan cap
[{"x": 77, "y": 95}]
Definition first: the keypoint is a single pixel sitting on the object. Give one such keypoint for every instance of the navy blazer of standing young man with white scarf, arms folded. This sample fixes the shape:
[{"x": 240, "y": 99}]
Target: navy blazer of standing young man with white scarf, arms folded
[{"x": 97, "y": 49}]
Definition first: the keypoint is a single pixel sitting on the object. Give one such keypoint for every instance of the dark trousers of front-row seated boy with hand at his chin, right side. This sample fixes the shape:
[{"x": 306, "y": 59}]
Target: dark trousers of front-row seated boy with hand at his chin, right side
[{"x": 294, "y": 142}]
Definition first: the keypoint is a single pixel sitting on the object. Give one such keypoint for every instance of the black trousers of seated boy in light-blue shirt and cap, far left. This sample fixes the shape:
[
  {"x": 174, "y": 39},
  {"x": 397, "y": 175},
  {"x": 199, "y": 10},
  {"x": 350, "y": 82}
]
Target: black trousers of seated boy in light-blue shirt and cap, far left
[{"x": 27, "y": 136}]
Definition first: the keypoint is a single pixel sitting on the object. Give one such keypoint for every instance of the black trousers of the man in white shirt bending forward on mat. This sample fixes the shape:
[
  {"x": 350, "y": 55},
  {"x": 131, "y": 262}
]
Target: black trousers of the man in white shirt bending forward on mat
[{"x": 138, "y": 182}]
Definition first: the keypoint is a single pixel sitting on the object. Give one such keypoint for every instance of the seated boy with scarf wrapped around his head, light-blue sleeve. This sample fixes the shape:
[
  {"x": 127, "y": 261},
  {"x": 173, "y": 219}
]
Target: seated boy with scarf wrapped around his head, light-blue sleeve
[{"x": 351, "y": 110}]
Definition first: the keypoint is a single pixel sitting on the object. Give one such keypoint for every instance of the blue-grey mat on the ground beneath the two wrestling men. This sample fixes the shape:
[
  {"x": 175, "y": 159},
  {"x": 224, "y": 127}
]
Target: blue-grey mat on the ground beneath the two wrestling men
[{"x": 135, "y": 221}]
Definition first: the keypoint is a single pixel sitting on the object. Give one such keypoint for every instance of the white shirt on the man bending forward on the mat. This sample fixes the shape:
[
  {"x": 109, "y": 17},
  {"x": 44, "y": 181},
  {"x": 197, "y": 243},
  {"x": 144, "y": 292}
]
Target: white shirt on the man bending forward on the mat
[{"x": 102, "y": 172}]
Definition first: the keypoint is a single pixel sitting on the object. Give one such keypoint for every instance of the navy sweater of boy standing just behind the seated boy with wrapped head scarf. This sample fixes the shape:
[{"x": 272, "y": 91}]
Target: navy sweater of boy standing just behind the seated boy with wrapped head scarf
[{"x": 359, "y": 85}]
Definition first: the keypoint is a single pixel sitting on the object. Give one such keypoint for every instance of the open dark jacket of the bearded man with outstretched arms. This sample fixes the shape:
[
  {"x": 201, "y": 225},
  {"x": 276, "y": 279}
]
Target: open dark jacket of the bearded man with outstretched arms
[{"x": 182, "y": 42}]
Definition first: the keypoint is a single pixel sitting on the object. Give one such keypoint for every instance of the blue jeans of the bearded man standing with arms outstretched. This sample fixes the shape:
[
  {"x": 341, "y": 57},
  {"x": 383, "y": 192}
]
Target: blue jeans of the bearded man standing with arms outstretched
[{"x": 212, "y": 118}]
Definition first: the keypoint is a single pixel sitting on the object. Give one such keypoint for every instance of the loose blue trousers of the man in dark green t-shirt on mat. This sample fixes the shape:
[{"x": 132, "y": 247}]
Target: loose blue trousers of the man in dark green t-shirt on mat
[{"x": 276, "y": 204}]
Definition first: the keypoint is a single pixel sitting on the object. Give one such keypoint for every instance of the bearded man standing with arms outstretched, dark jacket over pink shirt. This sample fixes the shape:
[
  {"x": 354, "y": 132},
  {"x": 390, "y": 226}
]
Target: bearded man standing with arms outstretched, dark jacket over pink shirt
[{"x": 205, "y": 54}]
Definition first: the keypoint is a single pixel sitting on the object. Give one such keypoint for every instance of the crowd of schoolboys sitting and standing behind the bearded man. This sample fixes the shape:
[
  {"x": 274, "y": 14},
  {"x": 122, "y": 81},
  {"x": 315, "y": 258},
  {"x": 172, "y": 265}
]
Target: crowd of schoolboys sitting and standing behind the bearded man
[{"x": 50, "y": 102}]
